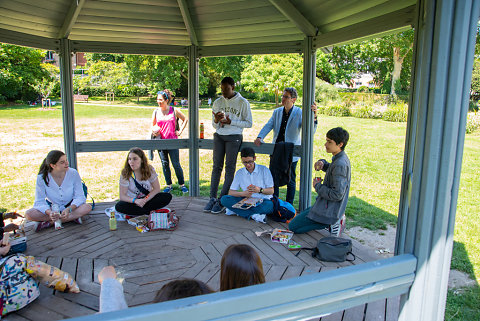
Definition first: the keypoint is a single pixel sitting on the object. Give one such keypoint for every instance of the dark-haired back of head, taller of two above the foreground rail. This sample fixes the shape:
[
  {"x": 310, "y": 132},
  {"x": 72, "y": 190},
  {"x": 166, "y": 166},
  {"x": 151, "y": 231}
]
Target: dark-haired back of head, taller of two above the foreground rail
[{"x": 241, "y": 266}]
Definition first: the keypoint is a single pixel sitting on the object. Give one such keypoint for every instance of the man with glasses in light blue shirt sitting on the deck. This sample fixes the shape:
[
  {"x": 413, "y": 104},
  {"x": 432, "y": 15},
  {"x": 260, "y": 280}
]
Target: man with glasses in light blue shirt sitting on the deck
[{"x": 253, "y": 180}]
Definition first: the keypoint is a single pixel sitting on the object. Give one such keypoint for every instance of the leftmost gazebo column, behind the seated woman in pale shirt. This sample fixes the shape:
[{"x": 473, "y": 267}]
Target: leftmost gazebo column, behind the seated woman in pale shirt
[{"x": 66, "y": 84}]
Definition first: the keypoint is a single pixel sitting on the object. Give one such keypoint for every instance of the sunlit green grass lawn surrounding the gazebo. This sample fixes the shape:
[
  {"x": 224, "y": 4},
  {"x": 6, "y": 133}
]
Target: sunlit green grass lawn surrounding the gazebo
[{"x": 375, "y": 150}]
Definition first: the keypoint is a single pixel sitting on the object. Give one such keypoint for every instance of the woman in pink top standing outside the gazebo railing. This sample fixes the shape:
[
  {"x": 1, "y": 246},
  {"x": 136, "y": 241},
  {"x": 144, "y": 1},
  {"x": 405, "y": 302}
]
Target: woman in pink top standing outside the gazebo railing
[{"x": 164, "y": 126}]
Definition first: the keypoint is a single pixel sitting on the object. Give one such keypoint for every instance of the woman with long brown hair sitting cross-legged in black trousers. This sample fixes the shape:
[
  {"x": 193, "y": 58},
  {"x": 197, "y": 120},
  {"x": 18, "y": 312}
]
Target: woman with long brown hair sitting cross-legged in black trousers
[{"x": 139, "y": 187}]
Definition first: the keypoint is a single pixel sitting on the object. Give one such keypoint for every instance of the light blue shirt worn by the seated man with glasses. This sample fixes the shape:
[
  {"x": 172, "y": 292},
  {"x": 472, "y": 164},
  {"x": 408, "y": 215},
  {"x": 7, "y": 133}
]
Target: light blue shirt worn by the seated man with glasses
[{"x": 261, "y": 177}]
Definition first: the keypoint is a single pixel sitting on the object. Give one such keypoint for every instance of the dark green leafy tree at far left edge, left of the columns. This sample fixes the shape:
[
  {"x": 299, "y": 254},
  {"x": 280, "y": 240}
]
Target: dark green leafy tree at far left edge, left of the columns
[{"x": 20, "y": 71}]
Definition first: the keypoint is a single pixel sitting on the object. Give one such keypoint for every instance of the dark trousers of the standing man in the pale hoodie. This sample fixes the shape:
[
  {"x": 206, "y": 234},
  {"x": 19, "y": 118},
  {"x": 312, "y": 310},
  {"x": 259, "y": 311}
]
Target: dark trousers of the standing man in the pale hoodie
[{"x": 225, "y": 148}]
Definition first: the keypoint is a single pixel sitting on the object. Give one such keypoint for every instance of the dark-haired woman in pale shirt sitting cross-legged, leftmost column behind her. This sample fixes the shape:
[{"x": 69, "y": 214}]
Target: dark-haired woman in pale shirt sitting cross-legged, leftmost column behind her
[{"x": 59, "y": 184}]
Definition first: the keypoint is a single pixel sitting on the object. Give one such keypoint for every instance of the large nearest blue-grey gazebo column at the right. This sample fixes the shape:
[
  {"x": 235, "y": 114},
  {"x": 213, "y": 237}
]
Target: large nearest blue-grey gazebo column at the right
[{"x": 445, "y": 40}]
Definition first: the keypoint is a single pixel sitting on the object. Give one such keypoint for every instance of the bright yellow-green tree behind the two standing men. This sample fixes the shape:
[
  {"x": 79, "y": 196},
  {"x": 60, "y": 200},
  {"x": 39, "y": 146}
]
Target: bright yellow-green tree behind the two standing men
[{"x": 273, "y": 73}]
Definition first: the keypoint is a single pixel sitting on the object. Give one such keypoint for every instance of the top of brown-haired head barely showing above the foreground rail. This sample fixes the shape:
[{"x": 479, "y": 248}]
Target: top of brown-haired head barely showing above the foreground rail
[{"x": 180, "y": 289}]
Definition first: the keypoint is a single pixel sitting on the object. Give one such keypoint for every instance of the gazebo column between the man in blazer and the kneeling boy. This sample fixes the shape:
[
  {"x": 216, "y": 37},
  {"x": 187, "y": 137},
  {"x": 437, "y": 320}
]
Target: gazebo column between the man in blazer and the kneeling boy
[{"x": 309, "y": 73}]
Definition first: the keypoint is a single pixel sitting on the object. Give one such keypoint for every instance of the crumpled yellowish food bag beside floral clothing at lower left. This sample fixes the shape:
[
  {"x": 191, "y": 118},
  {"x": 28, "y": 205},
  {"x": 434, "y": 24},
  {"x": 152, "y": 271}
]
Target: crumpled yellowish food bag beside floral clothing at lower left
[{"x": 51, "y": 276}]
